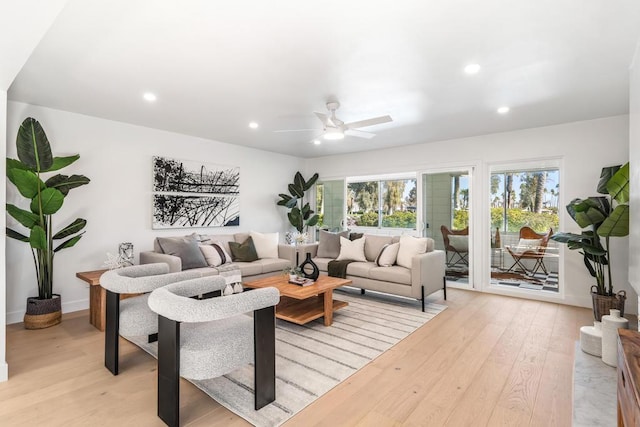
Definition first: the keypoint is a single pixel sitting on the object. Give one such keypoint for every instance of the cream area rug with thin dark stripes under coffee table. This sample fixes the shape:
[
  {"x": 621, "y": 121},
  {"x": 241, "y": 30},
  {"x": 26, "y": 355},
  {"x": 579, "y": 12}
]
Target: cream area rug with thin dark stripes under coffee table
[{"x": 312, "y": 359}]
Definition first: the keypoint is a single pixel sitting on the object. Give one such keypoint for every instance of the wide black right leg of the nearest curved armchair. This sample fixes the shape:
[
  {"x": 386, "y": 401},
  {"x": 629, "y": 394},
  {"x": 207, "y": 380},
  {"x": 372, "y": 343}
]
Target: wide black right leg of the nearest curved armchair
[{"x": 264, "y": 331}]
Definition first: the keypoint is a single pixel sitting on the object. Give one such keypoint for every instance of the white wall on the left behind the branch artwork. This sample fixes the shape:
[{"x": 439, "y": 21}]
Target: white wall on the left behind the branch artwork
[{"x": 117, "y": 203}]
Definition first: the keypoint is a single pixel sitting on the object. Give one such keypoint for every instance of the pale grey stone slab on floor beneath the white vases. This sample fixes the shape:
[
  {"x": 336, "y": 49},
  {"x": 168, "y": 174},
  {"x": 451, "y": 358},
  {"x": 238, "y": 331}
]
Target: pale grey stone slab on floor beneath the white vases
[{"x": 594, "y": 391}]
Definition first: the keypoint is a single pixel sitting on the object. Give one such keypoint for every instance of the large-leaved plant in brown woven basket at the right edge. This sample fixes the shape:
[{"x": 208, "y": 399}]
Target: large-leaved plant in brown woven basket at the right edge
[{"x": 603, "y": 217}]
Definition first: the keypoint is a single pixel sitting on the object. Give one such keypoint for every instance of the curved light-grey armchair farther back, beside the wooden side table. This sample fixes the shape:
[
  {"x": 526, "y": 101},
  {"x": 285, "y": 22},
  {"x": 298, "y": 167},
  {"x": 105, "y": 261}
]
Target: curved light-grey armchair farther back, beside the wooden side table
[{"x": 132, "y": 316}]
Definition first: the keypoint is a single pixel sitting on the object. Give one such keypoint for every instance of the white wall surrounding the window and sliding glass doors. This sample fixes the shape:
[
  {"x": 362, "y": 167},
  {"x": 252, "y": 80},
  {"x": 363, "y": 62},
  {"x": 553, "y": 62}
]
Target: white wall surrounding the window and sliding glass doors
[{"x": 583, "y": 147}]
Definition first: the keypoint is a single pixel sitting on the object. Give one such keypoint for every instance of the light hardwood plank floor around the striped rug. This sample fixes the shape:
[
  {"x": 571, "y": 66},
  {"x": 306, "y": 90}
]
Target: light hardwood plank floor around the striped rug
[{"x": 488, "y": 360}]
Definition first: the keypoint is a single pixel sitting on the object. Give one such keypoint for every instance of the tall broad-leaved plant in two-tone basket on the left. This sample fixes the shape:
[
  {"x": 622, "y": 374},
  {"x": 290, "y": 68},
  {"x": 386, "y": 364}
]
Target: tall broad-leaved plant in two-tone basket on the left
[{"x": 45, "y": 199}]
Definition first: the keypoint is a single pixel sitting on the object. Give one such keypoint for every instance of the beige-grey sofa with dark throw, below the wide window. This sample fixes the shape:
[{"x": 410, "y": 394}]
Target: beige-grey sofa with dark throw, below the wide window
[{"x": 425, "y": 276}]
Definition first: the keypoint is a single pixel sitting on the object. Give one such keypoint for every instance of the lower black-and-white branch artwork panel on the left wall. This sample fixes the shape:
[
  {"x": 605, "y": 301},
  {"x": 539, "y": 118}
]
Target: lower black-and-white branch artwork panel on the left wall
[{"x": 185, "y": 210}]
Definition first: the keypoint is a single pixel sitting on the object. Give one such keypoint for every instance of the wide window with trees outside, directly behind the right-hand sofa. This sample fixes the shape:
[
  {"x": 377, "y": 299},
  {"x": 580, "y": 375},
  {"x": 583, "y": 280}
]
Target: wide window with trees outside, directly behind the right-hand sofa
[{"x": 382, "y": 203}]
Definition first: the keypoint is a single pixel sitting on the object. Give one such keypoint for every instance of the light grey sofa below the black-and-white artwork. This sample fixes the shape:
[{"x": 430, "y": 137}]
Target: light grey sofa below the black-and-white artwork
[{"x": 258, "y": 269}]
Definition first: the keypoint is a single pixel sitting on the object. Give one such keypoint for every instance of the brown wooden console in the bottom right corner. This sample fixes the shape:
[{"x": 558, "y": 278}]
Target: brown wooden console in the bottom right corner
[{"x": 628, "y": 377}]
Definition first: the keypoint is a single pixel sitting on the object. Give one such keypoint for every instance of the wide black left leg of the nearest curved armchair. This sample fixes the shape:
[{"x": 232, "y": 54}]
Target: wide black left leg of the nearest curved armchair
[{"x": 169, "y": 371}]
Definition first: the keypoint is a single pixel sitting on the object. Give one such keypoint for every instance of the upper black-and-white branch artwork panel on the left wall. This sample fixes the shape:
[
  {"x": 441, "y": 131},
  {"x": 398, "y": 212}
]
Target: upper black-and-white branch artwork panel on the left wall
[{"x": 188, "y": 176}]
